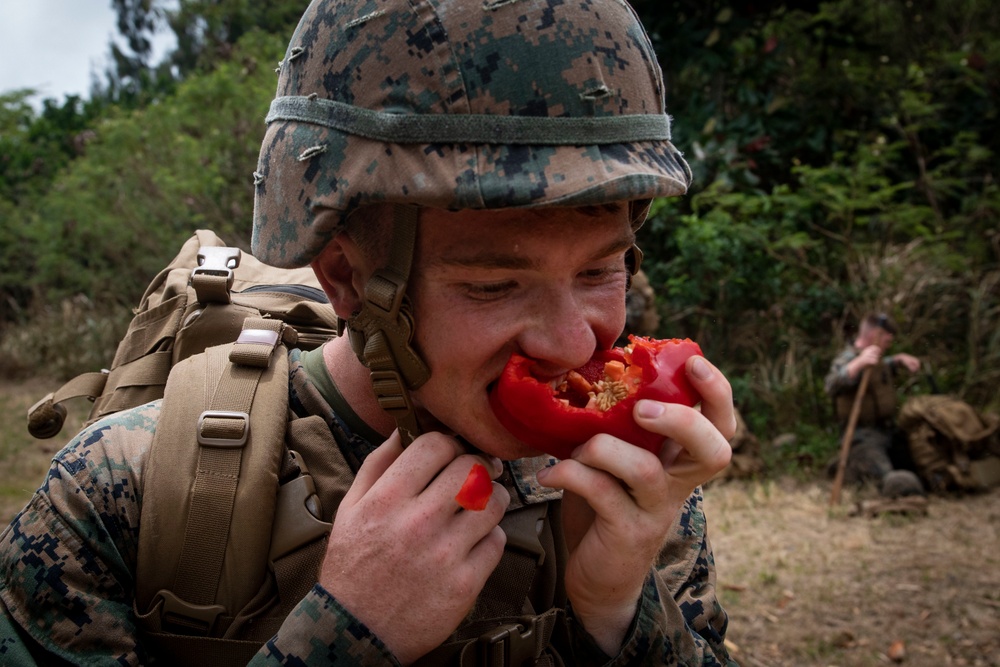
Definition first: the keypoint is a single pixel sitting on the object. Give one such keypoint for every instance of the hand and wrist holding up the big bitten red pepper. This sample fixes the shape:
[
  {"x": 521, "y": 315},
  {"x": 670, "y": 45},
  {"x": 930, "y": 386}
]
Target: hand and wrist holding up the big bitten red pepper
[{"x": 620, "y": 501}]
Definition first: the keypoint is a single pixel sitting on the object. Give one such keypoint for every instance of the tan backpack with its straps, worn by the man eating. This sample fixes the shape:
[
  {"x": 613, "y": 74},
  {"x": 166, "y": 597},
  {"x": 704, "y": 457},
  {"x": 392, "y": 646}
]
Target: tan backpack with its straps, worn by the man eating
[{"x": 236, "y": 489}]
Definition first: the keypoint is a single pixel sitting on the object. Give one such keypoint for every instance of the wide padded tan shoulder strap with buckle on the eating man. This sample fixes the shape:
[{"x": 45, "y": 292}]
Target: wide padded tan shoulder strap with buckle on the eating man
[{"x": 213, "y": 463}]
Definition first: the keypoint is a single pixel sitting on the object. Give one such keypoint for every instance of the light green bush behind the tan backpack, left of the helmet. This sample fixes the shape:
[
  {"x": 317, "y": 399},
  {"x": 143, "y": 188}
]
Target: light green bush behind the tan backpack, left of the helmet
[{"x": 149, "y": 179}]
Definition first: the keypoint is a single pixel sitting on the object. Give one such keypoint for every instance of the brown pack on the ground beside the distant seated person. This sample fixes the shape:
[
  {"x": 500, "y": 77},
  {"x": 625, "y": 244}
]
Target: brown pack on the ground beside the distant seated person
[{"x": 946, "y": 437}]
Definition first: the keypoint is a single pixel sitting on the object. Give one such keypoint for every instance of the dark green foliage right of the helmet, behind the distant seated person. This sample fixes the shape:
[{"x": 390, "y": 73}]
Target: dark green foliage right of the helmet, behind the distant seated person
[{"x": 844, "y": 155}]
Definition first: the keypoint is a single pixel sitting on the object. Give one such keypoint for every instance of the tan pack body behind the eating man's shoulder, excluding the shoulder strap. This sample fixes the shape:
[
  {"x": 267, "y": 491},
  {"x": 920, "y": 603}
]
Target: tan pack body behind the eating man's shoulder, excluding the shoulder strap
[{"x": 199, "y": 300}]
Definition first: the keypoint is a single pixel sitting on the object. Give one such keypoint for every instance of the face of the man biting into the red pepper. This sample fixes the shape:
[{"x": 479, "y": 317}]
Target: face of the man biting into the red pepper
[{"x": 549, "y": 284}]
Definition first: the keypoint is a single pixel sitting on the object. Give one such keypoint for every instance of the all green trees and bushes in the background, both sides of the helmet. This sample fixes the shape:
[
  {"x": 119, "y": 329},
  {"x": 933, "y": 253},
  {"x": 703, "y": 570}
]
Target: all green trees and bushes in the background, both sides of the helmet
[{"x": 844, "y": 155}]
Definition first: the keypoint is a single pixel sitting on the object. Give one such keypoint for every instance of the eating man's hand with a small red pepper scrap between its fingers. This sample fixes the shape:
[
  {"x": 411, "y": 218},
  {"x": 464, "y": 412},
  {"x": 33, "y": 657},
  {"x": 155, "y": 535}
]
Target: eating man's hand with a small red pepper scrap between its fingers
[{"x": 402, "y": 557}]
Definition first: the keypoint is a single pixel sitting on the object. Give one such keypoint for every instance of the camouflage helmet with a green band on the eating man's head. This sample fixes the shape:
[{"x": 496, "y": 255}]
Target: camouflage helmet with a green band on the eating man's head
[{"x": 459, "y": 104}]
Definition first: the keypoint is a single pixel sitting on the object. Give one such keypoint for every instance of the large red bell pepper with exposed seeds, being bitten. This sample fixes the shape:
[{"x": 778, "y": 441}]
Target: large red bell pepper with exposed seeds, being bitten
[{"x": 557, "y": 416}]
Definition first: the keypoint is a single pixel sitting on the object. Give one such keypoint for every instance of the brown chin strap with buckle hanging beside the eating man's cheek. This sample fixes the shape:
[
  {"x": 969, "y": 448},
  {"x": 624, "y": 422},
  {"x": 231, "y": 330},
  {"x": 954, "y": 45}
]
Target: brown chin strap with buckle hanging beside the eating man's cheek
[{"x": 381, "y": 333}]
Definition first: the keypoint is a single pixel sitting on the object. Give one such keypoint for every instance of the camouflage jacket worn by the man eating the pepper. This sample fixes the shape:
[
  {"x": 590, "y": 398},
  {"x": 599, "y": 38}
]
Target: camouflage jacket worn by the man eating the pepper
[{"x": 68, "y": 563}]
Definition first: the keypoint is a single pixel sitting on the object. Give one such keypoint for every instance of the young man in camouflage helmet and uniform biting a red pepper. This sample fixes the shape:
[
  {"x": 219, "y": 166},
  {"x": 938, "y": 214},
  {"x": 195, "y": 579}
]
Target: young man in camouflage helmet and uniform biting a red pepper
[{"x": 466, "y": 180}]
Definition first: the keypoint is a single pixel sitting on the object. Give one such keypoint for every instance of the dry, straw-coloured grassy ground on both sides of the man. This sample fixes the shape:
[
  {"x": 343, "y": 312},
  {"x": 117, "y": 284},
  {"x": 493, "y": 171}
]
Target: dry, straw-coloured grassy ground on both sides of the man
[{"x": 805, "y": 585}]
